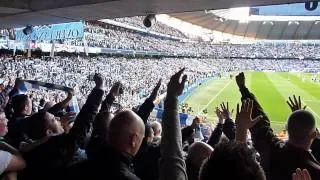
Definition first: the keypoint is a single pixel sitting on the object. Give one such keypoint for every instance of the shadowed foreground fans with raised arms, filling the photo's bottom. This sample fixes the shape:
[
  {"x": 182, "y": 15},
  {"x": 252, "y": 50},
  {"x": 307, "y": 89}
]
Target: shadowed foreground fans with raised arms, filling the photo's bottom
[{"x": 100, "y": 144}]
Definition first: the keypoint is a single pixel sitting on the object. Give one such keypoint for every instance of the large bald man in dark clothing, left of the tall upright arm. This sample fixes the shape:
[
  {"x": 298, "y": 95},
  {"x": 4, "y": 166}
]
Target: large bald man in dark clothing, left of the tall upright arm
[{"x": 124, "y": 137}]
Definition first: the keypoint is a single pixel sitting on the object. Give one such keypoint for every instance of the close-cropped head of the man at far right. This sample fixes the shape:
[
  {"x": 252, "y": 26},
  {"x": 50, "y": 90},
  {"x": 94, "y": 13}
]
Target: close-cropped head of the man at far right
[{"x": 301, "y": 128}]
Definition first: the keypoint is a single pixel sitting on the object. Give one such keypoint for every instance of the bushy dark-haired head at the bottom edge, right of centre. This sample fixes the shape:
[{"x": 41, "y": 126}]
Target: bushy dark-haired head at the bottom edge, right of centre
[{"x": 231, "y": 161}]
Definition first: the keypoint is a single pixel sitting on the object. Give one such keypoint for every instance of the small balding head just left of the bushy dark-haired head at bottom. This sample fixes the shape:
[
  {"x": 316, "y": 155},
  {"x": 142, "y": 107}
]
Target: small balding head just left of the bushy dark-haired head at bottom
[{"x": 197, "y": 153}]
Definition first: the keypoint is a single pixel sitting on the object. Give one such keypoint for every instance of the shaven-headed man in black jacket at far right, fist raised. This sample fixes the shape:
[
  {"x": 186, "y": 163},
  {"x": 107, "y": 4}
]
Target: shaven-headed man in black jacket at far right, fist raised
[{"x": 281, "y": 159}]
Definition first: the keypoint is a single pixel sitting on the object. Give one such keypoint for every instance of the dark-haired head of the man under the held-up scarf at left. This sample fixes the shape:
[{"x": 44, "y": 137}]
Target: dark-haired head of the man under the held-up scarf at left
[{"x": 21, "y": 105}]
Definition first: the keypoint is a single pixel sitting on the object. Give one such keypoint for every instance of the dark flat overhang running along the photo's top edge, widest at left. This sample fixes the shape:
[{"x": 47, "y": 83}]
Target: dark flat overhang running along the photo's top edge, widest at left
[{"x": 19, "y": 13}]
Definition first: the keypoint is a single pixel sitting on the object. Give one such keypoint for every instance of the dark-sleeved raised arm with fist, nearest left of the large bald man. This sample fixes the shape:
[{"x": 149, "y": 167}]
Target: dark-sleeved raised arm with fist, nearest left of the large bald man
[{"x": 88, "y": 112}]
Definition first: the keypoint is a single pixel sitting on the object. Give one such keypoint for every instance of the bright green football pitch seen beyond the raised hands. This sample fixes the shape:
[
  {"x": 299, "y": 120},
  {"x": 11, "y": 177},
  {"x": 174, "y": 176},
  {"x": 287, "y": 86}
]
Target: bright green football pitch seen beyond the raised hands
[{"x": 272, "y": 89}]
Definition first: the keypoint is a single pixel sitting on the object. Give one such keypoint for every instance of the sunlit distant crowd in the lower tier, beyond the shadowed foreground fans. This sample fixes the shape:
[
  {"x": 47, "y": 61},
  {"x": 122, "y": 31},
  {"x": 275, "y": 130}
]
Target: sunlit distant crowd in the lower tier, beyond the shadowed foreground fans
[{"x": 136, "y": 75}]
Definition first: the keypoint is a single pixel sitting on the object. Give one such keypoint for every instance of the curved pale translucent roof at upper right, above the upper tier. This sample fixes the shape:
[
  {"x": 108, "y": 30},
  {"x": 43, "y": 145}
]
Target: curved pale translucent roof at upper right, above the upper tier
[{"x": 239, "y": 22}]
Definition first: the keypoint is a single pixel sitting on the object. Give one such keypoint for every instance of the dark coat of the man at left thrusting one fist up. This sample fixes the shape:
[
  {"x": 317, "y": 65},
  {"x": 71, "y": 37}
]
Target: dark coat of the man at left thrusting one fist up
[{"x": 48, "y": 160}]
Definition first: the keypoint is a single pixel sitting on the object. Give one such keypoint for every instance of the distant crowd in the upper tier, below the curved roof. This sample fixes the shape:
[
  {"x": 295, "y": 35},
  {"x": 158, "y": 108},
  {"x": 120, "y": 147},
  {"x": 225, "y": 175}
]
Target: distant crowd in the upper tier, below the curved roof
[{"x": 113, "y": 37}]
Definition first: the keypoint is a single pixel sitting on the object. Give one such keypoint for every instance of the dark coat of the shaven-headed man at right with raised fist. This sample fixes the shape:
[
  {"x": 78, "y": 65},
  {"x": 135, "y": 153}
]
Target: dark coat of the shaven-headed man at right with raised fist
[{"x": 279, "y": 159}]
